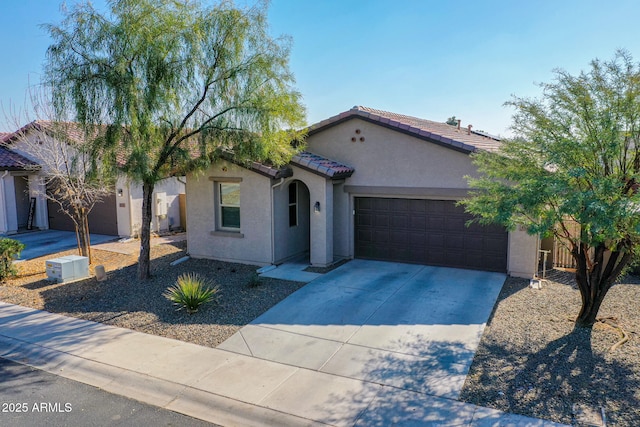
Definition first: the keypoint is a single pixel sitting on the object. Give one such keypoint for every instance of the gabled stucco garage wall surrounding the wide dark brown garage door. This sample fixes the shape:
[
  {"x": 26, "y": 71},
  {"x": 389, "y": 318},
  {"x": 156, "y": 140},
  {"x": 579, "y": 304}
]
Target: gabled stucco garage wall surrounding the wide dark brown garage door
[{"x": 389, "y": 163}]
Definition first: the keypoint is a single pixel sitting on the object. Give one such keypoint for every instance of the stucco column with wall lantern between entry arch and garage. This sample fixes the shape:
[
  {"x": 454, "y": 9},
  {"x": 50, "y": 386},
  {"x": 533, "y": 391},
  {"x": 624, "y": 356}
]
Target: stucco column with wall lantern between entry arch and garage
[{"x": 322, "y": 225}]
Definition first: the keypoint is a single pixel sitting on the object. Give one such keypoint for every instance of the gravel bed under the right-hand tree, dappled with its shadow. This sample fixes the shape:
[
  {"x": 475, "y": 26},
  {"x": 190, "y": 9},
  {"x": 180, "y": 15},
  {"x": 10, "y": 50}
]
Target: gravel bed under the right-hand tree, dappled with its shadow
[{"x": 531, "y": 361}]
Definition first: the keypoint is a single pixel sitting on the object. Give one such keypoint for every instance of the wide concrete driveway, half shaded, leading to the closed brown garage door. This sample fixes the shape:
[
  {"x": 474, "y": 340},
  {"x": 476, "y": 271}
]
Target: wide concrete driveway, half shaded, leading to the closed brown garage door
[{"x": 407, "y": 326}]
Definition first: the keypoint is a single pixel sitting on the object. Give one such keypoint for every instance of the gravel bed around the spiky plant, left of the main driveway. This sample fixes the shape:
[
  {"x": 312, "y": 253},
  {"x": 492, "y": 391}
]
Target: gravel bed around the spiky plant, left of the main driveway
[{"x": 123, "y": 301}]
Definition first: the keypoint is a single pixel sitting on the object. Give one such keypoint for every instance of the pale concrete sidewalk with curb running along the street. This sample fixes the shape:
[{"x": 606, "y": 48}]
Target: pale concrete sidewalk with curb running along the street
[{"x": 220, "y": 386}]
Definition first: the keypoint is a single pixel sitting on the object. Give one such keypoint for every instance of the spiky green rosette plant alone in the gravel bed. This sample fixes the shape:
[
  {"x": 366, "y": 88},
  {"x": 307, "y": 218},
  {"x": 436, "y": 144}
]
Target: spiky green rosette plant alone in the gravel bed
[{"x": 190, "y": 292}]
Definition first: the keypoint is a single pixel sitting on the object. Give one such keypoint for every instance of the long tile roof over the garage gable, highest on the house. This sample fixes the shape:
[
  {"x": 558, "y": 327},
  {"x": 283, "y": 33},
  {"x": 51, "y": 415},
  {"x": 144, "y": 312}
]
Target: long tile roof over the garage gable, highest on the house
[{"x": 463, "y": 139}]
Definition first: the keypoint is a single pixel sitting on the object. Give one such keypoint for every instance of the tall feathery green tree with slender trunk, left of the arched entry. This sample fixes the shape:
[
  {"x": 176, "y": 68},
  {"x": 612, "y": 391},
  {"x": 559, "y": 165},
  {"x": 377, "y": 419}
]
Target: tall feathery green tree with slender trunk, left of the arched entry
[{"x": 177, "y": 85}]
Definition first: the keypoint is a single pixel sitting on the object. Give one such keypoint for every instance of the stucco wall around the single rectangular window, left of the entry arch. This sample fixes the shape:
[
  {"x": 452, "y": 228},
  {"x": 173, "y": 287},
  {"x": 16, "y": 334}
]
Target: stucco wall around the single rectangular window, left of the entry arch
[{"x": 253, "y": 244}]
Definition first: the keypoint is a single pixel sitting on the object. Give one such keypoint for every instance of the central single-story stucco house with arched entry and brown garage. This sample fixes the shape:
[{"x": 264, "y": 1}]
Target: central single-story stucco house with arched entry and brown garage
[{"x": 372, "y": 184}]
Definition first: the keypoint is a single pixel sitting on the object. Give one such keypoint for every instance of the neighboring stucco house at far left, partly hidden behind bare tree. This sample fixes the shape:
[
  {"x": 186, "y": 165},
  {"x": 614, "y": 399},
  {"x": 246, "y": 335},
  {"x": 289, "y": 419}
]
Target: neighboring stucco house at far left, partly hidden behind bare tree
[{"x": 119, "y": 214}]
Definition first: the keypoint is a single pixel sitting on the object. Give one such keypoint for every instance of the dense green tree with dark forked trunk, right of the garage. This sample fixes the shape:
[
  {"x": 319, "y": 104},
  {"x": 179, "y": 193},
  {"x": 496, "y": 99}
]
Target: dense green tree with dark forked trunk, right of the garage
[{"x": 575, "y": 158}]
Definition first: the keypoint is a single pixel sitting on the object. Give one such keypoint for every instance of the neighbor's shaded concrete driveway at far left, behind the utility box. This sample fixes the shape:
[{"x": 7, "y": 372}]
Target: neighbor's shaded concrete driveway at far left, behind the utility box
[{"x": 45, "y": 242}]
